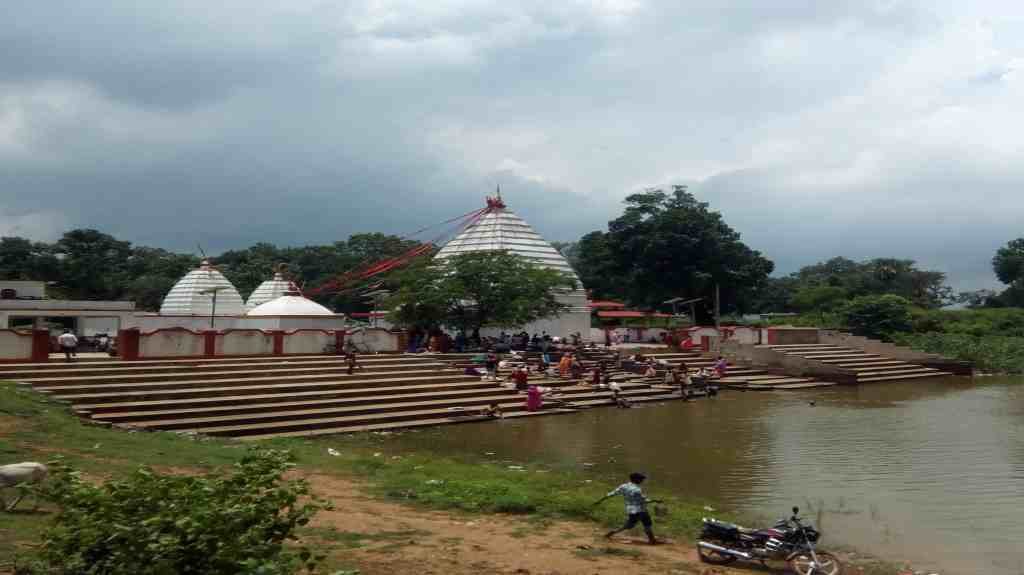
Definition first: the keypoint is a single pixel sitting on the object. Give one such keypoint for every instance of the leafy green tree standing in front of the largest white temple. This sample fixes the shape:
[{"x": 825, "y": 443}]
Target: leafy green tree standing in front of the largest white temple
[{"x": 477, "y": 290}]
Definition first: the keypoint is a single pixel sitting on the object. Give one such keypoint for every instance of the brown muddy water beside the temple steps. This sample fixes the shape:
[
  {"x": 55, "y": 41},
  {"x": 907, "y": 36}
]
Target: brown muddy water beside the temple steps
[{"x": 931, "y": 472}]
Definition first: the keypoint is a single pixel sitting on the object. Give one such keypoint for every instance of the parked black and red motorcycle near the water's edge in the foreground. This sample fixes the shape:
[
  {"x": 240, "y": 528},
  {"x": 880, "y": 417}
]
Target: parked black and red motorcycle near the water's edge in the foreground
[{"x": 791, "y": 541}]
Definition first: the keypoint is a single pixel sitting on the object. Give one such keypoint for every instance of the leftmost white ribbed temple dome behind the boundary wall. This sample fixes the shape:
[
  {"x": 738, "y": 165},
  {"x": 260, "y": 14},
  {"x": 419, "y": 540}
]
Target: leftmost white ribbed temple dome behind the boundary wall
[{"x": 193, "y": 295}]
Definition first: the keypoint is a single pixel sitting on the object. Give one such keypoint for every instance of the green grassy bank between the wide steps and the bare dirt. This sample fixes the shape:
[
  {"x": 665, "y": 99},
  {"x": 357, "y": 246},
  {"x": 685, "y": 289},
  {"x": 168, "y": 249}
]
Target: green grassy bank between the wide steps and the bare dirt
[{"x": 33, "y": 428}]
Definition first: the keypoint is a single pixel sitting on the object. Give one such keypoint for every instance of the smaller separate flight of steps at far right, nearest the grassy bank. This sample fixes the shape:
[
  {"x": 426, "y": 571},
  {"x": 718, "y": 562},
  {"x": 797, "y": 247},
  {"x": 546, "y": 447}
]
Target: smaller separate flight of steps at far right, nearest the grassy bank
[{"x": 867, "y": 368}]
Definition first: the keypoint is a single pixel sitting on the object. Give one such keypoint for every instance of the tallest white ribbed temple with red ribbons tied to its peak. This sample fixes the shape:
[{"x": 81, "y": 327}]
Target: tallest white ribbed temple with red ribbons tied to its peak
[{"x": 500, "y": 229}]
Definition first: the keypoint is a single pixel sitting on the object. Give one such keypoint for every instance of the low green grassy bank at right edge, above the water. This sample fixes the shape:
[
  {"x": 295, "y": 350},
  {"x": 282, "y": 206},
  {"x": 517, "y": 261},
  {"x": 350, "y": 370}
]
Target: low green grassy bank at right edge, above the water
[{"x": 990, "y": 353}]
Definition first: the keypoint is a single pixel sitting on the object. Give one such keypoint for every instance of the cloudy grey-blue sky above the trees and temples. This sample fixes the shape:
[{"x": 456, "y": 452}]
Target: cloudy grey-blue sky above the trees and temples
[{"x": 869, "y": 128}]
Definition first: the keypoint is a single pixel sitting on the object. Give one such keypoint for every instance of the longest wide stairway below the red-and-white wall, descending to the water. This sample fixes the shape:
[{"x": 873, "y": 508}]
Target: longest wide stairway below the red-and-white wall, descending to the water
[{"x": 255, "y": 399}]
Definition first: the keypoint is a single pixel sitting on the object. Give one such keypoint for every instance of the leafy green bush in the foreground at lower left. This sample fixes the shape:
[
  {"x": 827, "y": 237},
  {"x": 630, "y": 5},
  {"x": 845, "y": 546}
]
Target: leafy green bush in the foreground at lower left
[{"x": 174, "y": 524}]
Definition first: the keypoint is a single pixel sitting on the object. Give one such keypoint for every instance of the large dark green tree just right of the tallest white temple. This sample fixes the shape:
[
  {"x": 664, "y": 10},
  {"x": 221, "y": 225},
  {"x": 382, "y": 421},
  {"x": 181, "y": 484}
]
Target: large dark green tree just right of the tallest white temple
[{"x": 667, "y": 245}]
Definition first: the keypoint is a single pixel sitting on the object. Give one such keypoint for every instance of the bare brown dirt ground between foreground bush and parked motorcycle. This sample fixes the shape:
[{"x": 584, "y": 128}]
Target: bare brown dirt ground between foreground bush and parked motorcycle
[{"x": 387, "y": 539}]
